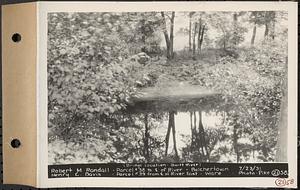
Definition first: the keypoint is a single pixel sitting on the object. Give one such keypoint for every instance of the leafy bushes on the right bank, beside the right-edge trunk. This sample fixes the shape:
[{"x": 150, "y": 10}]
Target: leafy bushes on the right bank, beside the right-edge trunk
[{"x": 254, "y": 98}]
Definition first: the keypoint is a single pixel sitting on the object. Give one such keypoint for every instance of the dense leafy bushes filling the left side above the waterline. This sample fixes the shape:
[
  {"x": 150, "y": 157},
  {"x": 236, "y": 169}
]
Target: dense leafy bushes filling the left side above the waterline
[{"x": 84, "y": 67}]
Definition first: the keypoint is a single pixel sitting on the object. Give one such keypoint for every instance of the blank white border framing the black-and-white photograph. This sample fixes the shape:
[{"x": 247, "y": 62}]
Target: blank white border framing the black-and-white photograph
[{"x": 46, "y": 7}]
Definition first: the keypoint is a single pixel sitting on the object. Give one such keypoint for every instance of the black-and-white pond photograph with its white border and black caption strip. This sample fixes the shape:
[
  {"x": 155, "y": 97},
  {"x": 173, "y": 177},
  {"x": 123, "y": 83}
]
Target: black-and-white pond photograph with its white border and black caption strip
[{"x": 166, "y": 94}]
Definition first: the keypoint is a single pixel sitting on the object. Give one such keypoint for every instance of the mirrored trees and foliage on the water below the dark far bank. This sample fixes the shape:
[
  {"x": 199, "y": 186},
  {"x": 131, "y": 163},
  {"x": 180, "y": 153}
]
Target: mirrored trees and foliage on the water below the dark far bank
[{"x": 149, "y": 137}]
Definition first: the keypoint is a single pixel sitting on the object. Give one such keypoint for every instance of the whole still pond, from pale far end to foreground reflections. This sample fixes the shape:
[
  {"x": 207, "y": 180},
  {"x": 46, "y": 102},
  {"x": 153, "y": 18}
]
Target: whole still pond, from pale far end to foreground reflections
[{"x": 176, "y": 124}]
